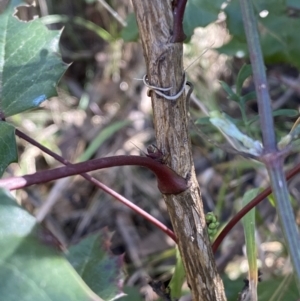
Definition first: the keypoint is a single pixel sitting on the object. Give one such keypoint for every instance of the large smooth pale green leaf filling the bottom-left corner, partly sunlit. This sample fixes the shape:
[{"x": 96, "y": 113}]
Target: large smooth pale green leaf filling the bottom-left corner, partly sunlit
[{"x": 30, "y": 268}]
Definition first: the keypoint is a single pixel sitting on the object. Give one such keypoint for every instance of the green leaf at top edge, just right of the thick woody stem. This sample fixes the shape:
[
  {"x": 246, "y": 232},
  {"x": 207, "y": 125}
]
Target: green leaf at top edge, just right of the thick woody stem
[{"x": 200, "y": 13}]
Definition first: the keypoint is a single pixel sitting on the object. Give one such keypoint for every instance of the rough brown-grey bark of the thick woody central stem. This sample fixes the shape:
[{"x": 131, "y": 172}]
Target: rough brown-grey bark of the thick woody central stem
[{"x": 165, "y": 69}]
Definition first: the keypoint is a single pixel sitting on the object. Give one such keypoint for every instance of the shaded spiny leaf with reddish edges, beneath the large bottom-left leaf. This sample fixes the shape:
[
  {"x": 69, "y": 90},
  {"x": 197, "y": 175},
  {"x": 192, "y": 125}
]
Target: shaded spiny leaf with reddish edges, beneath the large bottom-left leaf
[{"x": 100, "y": 270}]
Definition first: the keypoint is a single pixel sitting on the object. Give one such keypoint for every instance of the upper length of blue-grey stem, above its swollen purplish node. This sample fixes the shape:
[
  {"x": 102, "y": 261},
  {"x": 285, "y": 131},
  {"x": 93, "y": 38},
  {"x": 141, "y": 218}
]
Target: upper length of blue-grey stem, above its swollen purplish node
[{"x": 259, "y": 76}]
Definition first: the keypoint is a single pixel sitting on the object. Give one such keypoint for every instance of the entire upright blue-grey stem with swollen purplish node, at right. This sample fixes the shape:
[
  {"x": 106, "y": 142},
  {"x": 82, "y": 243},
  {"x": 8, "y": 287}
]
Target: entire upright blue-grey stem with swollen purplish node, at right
[{"x": 272, "y": 157}]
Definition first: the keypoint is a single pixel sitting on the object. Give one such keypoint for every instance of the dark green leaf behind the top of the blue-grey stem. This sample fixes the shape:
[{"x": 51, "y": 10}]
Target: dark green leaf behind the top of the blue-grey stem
[{"x": 279, "y": 39}]
